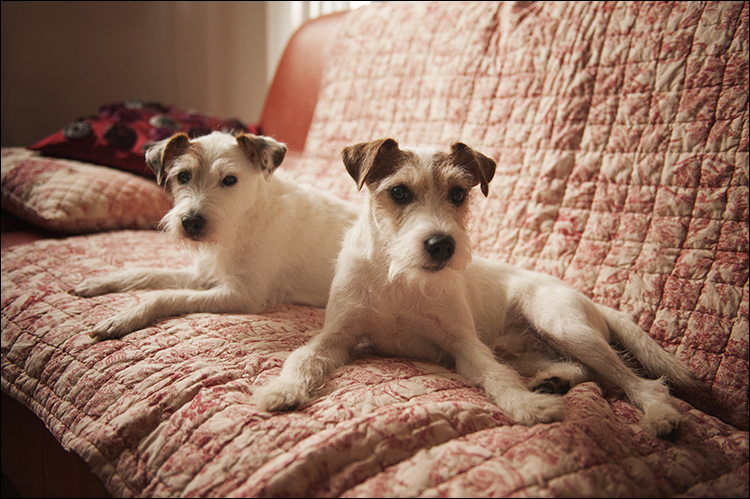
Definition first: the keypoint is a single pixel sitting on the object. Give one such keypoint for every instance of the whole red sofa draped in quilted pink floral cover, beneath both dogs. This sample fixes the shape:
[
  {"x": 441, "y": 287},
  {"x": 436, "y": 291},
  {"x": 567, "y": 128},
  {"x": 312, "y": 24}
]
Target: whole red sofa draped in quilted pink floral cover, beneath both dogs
[{"x": 620, "y": 131}]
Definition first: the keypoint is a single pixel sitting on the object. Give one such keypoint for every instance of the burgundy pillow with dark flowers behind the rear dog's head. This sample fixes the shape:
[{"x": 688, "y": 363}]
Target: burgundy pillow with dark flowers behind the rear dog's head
[{"x": 118, "y": 134}]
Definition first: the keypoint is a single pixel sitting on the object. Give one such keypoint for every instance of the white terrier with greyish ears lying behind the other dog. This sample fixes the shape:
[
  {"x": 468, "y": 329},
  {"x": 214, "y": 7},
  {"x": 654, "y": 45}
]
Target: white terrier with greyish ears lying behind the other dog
[{"x": 258, "y": 238}]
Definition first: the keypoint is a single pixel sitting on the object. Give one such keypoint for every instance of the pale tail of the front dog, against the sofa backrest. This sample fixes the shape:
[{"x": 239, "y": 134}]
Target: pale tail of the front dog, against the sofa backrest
[{"x": 652, "y": 357}]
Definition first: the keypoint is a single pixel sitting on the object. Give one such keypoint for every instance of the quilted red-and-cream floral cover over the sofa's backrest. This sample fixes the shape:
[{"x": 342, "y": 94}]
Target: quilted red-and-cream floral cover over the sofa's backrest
[{"x": 621, "y": 135}]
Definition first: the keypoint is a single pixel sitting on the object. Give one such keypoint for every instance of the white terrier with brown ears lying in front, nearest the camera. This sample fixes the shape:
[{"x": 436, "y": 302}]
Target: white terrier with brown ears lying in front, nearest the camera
[{"x": 406, "y": 283}]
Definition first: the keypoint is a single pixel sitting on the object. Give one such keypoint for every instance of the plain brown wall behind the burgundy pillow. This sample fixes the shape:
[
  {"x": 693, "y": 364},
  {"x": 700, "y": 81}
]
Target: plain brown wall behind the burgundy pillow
[{"x": 62, "y": 60}]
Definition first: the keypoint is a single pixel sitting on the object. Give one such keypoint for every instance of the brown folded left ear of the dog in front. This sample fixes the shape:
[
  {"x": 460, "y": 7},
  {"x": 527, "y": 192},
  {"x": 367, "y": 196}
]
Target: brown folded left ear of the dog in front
[{"x": 370, "y": 161}]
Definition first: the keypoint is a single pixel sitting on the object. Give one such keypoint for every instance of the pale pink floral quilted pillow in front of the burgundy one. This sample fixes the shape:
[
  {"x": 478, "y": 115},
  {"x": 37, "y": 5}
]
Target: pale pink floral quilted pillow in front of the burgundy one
[{"x": 74, "y": 197}]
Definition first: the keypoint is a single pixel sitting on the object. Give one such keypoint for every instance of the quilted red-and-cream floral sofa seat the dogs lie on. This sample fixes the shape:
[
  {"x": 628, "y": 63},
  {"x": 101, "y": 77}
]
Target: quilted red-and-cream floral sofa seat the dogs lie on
[{"x": 169, "y": 411}]
